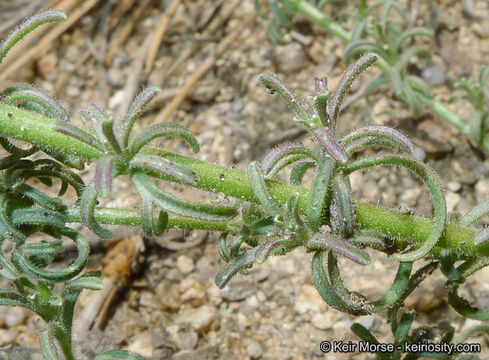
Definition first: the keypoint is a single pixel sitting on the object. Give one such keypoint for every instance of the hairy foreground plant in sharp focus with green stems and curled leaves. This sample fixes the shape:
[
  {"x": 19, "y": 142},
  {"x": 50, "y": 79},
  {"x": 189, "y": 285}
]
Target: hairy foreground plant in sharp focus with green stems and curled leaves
[{"x": 270, "y": 217}]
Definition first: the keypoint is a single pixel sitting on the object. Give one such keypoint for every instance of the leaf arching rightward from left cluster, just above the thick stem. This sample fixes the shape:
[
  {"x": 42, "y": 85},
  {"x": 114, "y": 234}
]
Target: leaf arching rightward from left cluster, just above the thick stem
[{"x": 164, "y": 130}]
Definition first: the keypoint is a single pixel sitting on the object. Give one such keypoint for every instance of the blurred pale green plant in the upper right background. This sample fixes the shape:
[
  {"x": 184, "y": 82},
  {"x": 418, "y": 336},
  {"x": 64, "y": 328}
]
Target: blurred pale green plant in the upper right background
[{"x": 375, "y": 30}]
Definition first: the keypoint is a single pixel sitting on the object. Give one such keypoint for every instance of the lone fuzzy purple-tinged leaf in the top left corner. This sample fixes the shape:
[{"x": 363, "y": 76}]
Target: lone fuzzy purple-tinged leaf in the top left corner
[{"x": 27, "y": 26}]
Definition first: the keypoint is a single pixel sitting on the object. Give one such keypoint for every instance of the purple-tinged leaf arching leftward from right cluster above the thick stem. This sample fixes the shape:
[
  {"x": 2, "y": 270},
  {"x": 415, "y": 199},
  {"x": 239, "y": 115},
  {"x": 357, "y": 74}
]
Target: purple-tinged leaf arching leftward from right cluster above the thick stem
[{"x": 281, "y": 156}]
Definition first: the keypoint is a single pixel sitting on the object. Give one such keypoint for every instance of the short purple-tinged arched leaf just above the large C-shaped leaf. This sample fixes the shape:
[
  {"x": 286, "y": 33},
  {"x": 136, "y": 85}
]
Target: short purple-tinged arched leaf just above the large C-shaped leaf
[{"x": 367, "y": 135}]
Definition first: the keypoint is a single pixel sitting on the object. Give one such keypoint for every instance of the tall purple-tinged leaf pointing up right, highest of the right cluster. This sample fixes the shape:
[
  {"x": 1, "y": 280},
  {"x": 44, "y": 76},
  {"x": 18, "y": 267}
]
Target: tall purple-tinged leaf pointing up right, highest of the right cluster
[{"x": 353, "y": 71}]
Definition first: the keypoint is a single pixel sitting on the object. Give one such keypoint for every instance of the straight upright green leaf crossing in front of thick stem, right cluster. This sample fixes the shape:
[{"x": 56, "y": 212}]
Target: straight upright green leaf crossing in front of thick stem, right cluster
[{"x": 319, "y": 194}]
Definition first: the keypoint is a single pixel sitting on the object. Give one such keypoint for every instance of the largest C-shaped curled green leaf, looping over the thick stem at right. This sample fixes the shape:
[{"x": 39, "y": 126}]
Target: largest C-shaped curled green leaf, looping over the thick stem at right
[{"x": 432, "y": 182}]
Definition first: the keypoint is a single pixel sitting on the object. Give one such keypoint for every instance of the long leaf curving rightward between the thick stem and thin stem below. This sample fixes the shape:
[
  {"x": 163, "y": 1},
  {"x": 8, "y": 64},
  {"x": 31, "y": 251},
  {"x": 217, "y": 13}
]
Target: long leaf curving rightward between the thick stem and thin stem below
[{"x": 172, "y": 204}]
